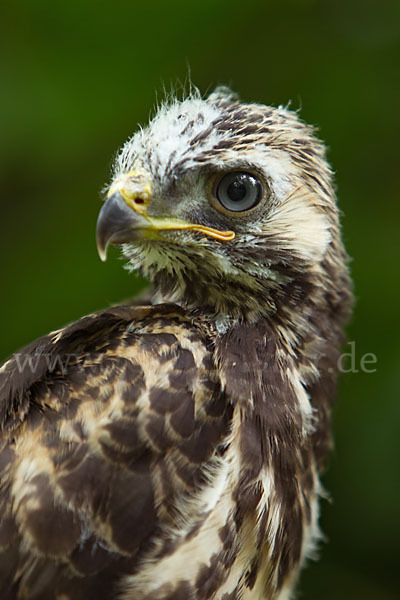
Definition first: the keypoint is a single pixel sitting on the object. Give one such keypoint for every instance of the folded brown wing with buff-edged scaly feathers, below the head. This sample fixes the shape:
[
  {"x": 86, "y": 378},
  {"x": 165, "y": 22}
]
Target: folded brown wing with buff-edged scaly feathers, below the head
[{"x": 109, "y": 425}]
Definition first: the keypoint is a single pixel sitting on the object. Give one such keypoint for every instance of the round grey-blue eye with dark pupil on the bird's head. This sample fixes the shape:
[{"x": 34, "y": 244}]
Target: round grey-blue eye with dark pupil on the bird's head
[{"x": 239, "y": 191}]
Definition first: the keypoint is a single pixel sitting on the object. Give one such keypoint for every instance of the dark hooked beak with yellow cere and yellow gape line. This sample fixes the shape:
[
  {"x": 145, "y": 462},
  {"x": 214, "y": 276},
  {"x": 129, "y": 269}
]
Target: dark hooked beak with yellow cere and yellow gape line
[{"x": 124, "y": 217}]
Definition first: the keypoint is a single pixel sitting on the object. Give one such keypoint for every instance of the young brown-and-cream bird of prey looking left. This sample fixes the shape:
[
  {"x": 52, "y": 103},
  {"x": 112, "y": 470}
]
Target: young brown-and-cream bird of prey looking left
[{"x": 172, "y": 450}]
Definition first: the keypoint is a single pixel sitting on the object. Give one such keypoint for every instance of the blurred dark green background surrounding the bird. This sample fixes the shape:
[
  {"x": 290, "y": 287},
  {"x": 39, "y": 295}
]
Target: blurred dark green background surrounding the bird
[{"x": 76, "y": 78}]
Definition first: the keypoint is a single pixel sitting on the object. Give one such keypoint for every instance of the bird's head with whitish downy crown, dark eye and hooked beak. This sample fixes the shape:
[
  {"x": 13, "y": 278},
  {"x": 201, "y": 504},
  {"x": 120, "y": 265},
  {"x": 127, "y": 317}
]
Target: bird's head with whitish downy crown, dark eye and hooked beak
[{"x": 225, "y": 206}]
